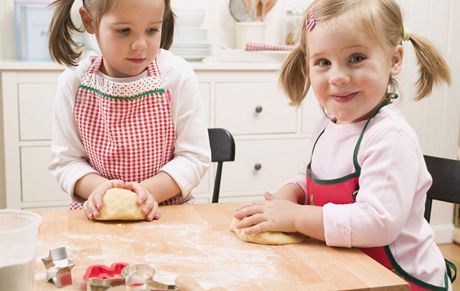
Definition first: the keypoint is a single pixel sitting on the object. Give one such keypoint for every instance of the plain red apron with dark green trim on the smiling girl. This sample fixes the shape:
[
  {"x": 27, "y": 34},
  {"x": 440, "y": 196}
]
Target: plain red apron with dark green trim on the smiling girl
[{"x": 344, "y": 191}]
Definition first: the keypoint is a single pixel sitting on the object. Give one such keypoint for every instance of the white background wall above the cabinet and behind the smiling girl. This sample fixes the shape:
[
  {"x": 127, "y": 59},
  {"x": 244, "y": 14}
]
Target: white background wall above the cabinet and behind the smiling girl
[{"x": 435, "y": 119}]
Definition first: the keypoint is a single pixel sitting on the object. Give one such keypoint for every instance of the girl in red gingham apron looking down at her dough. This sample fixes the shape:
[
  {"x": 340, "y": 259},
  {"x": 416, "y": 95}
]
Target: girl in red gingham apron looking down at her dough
[{"x": 131, "y": 117}]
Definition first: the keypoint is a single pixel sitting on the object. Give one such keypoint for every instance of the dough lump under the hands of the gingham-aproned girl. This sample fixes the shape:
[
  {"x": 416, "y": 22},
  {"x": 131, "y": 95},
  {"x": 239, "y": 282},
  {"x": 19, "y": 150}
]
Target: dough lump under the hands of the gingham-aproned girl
[{"x": 120, "y": 204}]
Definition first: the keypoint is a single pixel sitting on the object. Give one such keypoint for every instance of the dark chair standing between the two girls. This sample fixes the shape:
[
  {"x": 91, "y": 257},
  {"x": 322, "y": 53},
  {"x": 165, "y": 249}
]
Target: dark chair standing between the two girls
[{"x": 222, "y": 150}]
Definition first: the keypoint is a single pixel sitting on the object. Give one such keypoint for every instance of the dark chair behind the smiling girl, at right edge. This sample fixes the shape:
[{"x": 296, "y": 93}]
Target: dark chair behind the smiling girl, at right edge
[{"x": 446, "y": 182}]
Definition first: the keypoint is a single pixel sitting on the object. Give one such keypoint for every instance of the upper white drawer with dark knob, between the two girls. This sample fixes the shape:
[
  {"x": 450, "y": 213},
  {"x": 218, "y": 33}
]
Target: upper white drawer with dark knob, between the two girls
[{"x": 253, "y": 108}]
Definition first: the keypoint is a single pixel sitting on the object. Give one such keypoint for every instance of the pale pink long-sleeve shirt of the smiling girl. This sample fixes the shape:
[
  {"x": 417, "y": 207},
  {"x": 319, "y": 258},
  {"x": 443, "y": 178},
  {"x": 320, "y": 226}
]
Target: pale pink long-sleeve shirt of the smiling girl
[{"x": 393, "y": 183}]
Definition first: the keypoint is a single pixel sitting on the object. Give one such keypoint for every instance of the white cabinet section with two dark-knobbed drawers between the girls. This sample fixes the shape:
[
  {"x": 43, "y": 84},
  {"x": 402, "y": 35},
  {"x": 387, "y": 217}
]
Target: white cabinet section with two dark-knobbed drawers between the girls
[{"x": 270, "y": 143}]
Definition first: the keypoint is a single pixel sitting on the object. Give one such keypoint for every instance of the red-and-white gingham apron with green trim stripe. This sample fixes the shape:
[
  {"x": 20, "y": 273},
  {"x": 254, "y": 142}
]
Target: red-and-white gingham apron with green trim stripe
[{"x": 126, "y": 128}]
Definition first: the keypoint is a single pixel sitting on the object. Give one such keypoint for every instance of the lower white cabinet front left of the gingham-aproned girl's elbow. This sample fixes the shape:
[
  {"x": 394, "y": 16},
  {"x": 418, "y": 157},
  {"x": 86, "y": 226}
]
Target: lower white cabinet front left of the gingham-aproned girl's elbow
[{"x": 37, "y": 184}]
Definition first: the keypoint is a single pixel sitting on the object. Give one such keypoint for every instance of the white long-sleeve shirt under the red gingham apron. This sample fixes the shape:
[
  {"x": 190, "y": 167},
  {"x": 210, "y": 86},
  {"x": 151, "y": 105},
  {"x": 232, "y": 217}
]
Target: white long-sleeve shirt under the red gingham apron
[{"x": 192, "y": 154}]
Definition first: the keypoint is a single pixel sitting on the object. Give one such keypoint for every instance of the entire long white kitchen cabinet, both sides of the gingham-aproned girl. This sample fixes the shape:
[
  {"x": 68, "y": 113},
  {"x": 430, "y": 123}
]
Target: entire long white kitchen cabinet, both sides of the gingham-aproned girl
[{"x": 243, "y": 98}]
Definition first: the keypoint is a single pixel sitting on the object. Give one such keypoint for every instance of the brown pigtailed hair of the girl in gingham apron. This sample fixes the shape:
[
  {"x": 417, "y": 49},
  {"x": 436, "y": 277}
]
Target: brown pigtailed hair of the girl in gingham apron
[{"x": 65, "y": 50}]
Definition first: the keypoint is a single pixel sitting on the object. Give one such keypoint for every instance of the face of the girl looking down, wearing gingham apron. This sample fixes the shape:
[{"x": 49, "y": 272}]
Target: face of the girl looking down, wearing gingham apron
[{"x": 129, "y": 35}]
